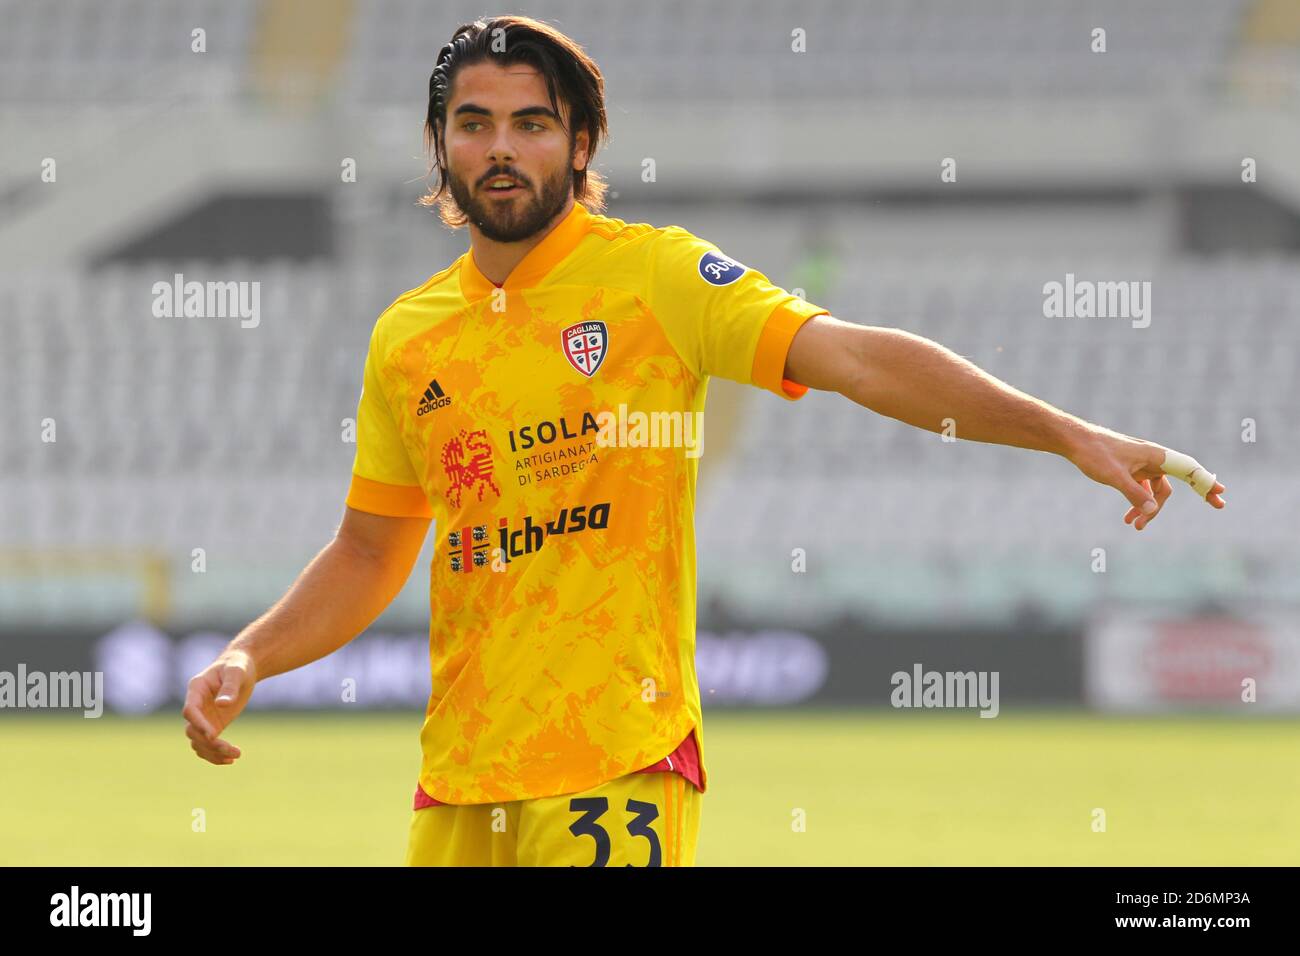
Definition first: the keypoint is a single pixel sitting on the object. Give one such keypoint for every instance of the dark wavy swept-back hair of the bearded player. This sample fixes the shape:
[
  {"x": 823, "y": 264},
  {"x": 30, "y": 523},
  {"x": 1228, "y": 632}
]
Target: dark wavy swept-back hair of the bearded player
[{"x": 570, "y": 73}]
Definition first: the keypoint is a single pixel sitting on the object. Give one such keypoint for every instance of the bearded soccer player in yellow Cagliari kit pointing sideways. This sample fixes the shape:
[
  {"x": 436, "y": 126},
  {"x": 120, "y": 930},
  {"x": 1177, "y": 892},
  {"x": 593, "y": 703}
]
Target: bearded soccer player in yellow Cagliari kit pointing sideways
[{"x": 501, "y": 401}]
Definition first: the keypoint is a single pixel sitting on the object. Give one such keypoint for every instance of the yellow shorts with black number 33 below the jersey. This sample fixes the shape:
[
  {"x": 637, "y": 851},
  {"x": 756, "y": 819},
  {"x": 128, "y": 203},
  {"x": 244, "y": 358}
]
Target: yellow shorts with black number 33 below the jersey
[{"x": 640, "y": 820}]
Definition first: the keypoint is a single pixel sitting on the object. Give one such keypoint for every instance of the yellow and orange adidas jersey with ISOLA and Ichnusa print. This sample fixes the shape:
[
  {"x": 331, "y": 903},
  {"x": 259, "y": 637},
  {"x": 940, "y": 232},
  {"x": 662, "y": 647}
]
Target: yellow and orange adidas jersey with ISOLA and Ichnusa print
[{"x": 552, "y": 427}]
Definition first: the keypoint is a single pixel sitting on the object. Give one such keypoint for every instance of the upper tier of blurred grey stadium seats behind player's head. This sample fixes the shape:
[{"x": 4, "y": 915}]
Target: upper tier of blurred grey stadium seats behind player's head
[{"x": 682, "y": 51}]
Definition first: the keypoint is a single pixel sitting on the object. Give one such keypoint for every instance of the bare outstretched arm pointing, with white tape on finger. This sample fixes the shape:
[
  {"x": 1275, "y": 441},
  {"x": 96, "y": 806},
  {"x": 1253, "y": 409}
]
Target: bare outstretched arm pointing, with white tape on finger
[{"x": 920, "y": 382}]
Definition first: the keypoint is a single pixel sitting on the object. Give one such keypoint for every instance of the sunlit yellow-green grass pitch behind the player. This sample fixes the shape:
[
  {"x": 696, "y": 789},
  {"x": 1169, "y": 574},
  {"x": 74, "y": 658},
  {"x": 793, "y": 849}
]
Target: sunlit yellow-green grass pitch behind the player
[{"x": 874, "y": 788}]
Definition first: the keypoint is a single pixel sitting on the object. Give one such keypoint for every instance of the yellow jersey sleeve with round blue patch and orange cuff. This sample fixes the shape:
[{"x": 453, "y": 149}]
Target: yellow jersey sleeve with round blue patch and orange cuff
[{"x": 722, "y": 317}]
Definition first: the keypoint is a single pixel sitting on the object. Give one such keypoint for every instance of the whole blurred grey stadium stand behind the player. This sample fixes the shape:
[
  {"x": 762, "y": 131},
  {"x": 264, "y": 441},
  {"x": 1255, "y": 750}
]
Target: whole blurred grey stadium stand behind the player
[{"x": 184, "y": 434}]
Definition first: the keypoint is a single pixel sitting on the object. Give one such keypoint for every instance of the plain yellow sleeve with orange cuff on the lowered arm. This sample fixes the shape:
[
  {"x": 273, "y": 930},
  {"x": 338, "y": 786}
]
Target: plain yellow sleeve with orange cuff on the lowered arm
[{"x": 384, "y": 479}]
